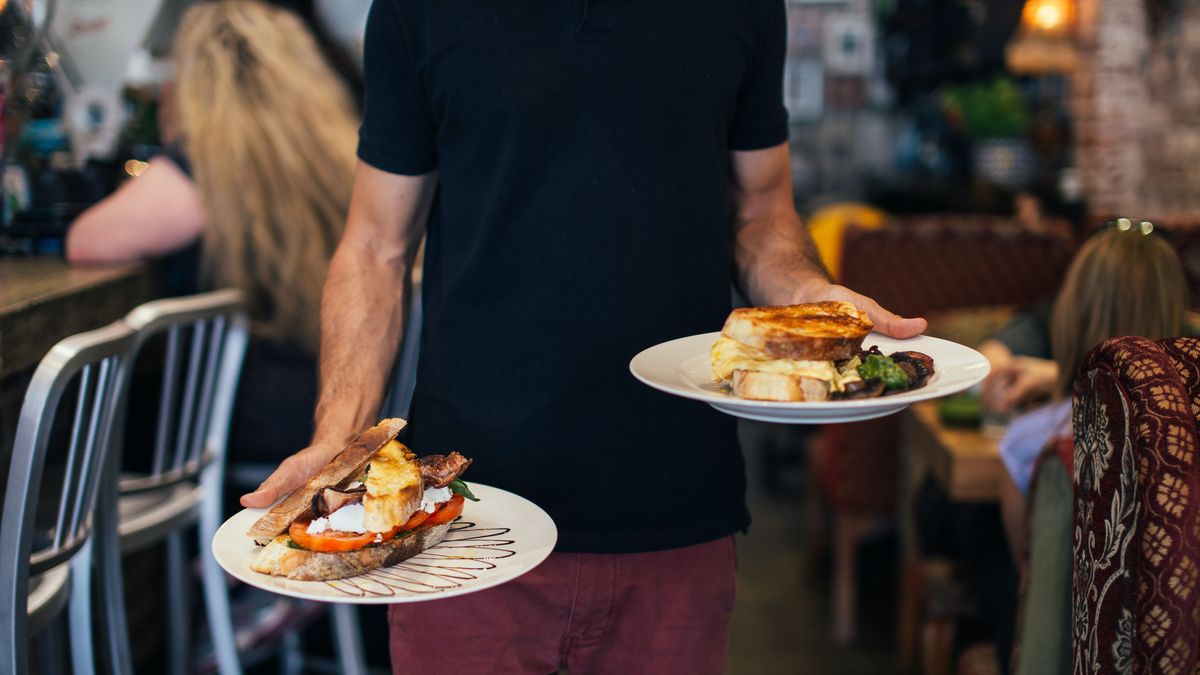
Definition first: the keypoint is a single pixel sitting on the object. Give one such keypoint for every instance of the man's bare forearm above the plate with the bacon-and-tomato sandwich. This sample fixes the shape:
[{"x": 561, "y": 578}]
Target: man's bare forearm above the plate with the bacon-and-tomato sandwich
[{"x": 362, "y": 319}]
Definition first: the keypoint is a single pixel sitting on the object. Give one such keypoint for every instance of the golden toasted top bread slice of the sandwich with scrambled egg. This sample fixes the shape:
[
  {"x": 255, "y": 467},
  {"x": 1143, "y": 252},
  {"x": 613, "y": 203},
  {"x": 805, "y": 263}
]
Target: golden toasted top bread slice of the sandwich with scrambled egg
[{"x": 831, "y": 331}]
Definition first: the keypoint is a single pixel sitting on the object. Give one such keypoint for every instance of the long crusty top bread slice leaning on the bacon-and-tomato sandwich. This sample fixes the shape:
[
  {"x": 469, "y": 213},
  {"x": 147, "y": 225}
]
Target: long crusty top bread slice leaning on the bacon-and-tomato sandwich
[{"x": 344, "y": 469}]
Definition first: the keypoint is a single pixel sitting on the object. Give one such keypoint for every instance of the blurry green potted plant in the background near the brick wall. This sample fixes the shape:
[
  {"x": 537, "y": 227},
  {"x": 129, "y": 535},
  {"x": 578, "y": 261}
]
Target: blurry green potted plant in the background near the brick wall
[{"x": 995, "y": 117}]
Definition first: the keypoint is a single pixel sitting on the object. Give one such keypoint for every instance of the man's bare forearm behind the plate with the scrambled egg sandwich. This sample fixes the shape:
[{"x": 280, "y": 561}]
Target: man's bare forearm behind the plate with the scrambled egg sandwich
[{"x": 777, "y": 260}]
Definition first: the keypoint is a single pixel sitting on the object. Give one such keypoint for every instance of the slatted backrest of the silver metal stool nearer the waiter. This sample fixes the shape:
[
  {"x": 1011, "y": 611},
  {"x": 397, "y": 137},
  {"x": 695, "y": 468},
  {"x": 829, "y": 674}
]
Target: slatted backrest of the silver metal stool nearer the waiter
[{"x": 207, "y": 338}]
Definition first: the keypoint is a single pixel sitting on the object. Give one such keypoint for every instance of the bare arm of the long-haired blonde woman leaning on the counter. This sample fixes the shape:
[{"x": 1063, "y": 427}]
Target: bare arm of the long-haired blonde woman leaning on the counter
[{"x": 154, "y": 214}]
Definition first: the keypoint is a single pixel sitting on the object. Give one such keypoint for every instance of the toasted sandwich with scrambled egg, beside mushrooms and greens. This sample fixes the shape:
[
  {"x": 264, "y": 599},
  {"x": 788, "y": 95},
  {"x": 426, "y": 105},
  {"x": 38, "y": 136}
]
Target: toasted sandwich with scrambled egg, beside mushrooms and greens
[{"x": 790, "y": 354}]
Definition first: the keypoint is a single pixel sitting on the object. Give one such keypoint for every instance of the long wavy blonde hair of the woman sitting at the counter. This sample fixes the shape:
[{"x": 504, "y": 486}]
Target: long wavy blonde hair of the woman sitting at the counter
[{"x": 271, "y": 134}]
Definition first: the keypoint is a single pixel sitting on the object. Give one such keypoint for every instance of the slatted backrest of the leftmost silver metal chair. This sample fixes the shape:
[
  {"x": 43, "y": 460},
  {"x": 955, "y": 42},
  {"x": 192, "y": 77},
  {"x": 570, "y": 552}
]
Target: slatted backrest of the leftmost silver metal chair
[{"x": 99, "y": 362}]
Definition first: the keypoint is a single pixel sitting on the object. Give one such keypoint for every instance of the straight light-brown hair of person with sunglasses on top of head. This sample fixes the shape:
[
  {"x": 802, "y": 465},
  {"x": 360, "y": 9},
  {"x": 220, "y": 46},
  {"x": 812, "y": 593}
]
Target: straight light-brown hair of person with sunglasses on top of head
[{"x": 1120, "y": 283}]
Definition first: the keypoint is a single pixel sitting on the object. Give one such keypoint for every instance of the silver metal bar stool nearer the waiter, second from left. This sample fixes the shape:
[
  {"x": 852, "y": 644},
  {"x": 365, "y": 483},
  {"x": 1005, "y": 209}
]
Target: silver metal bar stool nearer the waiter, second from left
[{"x": 206, "y": 343}]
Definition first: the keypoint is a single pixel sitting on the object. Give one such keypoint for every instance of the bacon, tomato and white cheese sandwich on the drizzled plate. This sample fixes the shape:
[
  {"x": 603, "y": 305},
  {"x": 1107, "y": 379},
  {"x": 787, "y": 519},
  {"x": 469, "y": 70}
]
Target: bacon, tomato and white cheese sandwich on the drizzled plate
[{"x": 374, "y": 505}]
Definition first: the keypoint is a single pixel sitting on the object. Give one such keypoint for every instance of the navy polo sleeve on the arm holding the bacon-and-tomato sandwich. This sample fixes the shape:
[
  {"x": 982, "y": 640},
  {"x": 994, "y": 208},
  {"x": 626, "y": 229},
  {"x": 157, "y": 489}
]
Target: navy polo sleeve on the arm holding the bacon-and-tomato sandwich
[{"x": 398, "y": 133}]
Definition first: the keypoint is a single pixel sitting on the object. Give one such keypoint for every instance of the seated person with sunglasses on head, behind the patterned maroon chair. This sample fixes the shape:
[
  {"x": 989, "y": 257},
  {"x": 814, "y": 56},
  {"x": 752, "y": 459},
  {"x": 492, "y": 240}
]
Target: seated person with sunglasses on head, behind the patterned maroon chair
[{"x": 1120, "y": 283}]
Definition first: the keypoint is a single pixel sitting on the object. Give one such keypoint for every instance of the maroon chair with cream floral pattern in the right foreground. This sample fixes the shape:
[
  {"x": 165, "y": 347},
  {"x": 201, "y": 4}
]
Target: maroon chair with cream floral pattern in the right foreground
[{"x": 1137, "y": 512}]
